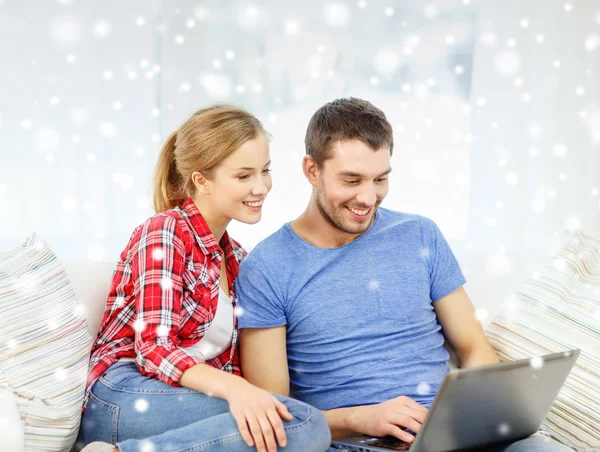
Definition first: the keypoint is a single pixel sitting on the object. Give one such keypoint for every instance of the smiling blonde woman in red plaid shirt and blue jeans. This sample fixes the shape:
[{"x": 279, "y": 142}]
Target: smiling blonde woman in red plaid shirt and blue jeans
[{"x": 164, "y": 370}]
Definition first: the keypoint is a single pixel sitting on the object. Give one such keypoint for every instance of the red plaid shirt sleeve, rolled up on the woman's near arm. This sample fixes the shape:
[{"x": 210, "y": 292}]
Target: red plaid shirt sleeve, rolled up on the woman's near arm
[{"x": 158, "y": 265}]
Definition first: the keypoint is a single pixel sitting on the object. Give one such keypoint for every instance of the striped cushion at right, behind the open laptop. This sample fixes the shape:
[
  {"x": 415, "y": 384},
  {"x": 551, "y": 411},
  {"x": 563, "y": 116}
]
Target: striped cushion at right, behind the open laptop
[{"x": 556, "y": 310}]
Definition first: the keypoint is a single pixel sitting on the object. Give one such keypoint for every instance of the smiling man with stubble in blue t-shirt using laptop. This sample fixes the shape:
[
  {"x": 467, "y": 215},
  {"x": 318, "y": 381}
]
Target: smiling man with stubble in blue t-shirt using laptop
[{"x": 347, "y": 306}]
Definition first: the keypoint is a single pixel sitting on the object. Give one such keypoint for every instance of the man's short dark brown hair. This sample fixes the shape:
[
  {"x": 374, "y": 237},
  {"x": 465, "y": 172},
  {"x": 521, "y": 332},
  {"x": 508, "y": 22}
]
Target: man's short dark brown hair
[{"x": 344, "y": 120}]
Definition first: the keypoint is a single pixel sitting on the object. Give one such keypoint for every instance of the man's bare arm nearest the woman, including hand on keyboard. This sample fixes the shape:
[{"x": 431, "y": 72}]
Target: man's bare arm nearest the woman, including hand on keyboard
[{"x": 264, "y": 364}]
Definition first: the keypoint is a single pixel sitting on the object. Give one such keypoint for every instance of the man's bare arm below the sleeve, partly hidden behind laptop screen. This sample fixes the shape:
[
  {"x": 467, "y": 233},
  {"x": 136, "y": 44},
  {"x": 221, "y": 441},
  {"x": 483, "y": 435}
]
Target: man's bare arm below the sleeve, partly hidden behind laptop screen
[{"x": 456, "y": 315}]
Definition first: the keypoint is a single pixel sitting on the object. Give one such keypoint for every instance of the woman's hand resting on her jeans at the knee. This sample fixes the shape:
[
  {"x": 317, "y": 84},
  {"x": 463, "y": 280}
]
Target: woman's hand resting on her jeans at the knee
[{"x": 258, "y": 415}]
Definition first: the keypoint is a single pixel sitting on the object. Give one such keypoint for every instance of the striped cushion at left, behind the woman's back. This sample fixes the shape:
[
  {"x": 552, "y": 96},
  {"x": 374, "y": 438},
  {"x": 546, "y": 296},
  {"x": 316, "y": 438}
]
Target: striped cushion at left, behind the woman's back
[{"x": 44, "y": 345}]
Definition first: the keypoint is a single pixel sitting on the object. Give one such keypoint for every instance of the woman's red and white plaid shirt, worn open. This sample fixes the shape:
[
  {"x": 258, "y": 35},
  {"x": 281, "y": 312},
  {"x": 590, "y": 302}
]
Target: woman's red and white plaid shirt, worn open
[{"x": 164, "y": 296}]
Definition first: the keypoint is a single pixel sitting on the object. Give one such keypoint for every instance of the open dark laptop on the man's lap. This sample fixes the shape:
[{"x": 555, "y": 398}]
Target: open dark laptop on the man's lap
[{"x": 494, "y": 404}]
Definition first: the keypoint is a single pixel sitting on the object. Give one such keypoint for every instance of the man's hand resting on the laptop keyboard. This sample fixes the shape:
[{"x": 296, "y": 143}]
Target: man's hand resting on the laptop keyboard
[{"x": 389, "y": 418}]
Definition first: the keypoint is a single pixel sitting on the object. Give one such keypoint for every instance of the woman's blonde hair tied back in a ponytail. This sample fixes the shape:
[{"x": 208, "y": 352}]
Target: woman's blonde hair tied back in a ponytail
[{"x": 201, "y": 143}]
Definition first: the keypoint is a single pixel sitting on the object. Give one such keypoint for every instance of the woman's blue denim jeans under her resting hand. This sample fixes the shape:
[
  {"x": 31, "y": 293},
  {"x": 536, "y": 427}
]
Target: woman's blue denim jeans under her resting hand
[{"x": 144, "y": 414}]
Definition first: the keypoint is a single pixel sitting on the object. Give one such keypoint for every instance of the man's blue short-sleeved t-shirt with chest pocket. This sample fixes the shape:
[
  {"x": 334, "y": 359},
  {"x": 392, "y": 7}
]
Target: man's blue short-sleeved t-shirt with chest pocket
[{"x": 361, "y": 328}]
